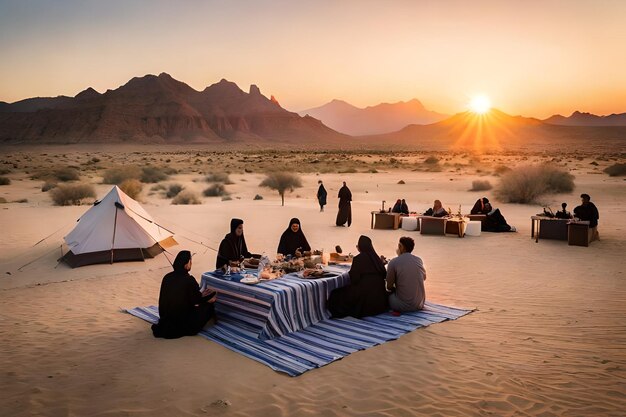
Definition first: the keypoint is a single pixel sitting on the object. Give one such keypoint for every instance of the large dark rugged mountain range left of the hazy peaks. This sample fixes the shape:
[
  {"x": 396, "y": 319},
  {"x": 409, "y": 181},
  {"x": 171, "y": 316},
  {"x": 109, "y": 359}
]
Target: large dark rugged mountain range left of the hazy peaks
[{"x": 155, "y": 109}]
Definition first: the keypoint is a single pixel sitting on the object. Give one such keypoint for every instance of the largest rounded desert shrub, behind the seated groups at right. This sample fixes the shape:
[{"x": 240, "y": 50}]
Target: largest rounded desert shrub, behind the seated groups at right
[{"x": 527, "y": 183}]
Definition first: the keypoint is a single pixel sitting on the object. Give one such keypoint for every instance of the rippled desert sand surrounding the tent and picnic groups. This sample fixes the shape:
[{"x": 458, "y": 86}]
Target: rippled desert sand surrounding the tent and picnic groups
[{"x": 548, "y": 337}]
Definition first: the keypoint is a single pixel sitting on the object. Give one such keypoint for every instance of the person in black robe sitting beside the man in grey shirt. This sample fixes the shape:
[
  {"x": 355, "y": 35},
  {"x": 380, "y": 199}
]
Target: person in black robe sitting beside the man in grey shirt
[{"x": 366, "y": 294}]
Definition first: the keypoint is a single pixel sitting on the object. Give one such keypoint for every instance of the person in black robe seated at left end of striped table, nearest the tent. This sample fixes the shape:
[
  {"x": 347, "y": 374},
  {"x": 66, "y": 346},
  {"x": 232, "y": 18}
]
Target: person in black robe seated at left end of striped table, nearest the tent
[{"x": 183, "y": 309}]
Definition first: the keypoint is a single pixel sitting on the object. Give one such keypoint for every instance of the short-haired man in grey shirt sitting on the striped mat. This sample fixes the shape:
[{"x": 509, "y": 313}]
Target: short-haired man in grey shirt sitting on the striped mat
[{"x": 405, "y": 279}]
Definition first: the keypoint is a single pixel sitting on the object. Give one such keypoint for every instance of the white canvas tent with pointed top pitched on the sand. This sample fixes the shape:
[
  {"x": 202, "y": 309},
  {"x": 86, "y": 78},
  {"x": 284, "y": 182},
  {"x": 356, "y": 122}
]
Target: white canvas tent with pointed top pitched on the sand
[{"x": 115, "y": 229}]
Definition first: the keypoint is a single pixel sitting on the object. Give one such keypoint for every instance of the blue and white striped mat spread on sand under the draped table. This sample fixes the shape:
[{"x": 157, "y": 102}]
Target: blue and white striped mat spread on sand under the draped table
[{"x": 319, "y": 344}]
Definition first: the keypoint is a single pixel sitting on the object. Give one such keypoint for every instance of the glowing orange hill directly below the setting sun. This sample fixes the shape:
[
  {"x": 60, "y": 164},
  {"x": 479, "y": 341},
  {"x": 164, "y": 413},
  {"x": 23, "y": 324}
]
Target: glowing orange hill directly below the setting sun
[{"x": 496, "y": 131}]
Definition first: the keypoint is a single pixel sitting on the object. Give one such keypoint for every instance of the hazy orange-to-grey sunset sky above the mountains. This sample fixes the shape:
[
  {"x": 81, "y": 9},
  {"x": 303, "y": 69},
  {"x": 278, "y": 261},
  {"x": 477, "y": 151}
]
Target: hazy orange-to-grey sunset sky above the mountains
[{"x": 534, "y": 58}]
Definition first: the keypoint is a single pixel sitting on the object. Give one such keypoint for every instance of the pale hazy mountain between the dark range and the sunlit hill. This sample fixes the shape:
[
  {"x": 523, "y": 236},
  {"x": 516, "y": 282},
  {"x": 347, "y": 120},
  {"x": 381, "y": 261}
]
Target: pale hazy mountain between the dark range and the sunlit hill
[{"x": 382, "y": 118}]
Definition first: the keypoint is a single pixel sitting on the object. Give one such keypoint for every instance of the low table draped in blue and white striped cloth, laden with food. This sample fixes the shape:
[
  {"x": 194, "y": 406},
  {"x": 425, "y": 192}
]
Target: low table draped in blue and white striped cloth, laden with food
[{"x": 275, "y": 307}]
